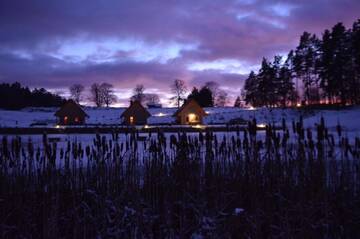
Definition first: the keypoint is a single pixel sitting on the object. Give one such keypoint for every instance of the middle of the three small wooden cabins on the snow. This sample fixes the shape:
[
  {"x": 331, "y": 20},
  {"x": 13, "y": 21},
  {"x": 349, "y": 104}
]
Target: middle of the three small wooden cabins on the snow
[{"x": 135, "y": 114}]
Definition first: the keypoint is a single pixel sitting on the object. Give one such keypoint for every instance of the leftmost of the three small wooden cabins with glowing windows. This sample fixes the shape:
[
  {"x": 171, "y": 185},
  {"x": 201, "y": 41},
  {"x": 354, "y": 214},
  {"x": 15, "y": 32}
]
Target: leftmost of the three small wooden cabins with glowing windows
[{"x": 71, "y": 113}]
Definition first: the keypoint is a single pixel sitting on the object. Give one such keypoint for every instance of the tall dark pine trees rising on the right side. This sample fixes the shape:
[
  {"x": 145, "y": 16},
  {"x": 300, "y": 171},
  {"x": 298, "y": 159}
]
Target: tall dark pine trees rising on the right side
[{"x": 325, "y": 70}]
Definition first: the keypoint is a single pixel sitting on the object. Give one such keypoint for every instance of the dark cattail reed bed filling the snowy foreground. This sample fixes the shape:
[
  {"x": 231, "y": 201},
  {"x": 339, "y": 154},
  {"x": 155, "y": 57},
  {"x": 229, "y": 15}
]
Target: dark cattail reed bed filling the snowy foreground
[{"x": 293, "y": 183}]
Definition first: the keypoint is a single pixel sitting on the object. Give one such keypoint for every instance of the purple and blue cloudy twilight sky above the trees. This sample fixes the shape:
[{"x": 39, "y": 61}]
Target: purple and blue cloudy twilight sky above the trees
[{"x": 53, "y": 44}]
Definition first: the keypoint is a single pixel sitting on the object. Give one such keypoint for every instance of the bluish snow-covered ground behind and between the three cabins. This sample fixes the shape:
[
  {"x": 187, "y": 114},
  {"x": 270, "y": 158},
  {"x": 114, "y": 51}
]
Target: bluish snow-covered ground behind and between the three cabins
[{"x": 349, "y": 118}]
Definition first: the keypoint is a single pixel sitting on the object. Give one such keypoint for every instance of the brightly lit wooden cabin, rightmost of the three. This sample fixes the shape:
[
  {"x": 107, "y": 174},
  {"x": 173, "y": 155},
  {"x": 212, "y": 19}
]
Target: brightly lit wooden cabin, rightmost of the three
[{"x": 190, "y": 113}]
